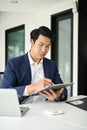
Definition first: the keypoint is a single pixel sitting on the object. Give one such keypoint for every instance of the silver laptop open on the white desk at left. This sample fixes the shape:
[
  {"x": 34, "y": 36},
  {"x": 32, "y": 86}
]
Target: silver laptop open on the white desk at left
[{"x": 9, "y": 104}]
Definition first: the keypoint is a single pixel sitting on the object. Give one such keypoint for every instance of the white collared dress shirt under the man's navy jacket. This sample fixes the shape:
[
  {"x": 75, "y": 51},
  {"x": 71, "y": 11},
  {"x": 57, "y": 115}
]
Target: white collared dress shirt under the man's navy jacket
[{"x": 36, "y": 74}]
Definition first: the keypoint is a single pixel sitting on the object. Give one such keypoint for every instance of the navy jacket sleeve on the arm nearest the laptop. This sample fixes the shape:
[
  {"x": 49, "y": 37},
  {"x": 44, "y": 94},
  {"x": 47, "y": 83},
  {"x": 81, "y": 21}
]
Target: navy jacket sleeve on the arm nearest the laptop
[{"x": 10, "y": 80}]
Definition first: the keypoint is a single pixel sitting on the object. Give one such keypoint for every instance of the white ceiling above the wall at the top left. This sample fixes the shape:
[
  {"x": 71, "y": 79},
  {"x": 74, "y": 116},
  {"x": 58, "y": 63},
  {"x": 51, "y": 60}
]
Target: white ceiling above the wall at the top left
[{"x": 30, "y": 6}]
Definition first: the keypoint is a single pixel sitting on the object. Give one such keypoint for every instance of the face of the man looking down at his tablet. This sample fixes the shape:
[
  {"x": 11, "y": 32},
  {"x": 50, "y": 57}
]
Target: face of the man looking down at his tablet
[{"x": 40, "y": 47}]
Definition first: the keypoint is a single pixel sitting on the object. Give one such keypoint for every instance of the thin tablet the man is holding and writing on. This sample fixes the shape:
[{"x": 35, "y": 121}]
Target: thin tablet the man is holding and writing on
[{"x": 54, "y": 87}]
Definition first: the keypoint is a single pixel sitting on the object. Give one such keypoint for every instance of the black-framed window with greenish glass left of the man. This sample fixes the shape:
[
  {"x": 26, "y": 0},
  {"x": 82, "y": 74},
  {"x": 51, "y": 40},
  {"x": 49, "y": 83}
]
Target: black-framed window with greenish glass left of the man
[{"x": 15, "y": 41}]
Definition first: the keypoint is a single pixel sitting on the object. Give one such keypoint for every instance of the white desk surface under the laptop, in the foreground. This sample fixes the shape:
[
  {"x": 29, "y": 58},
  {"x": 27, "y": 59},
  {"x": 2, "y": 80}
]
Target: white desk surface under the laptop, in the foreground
[{"x": 35, "y": 119}]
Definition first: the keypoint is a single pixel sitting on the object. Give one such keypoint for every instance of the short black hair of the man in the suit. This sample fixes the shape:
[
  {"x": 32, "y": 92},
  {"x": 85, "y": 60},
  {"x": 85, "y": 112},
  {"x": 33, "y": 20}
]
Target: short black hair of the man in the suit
[{"x": 42, "y": 31}]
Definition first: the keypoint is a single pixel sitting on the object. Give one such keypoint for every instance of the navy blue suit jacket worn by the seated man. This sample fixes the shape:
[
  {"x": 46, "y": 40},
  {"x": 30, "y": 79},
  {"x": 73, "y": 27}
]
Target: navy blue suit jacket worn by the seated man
[{"x": 18, "y": 74}]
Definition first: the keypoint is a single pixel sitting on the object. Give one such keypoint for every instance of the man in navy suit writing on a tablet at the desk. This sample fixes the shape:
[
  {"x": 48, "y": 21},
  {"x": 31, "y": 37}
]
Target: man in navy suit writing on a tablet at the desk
[{"x": 32, "y": 71}]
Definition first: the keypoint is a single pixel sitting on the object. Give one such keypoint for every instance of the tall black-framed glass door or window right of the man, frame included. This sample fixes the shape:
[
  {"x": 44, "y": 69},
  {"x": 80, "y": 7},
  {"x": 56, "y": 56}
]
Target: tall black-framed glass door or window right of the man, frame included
[{"x": 62, "y": 49}]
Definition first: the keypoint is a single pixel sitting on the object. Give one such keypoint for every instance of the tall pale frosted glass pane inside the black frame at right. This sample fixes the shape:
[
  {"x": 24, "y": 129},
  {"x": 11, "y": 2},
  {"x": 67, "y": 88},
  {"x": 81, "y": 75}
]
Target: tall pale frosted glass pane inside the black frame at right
[{"x": 64, "y": 49}]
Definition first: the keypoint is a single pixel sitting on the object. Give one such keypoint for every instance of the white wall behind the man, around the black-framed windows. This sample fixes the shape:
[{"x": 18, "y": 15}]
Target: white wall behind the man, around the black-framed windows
[{"x": 31, "y": 21}]
